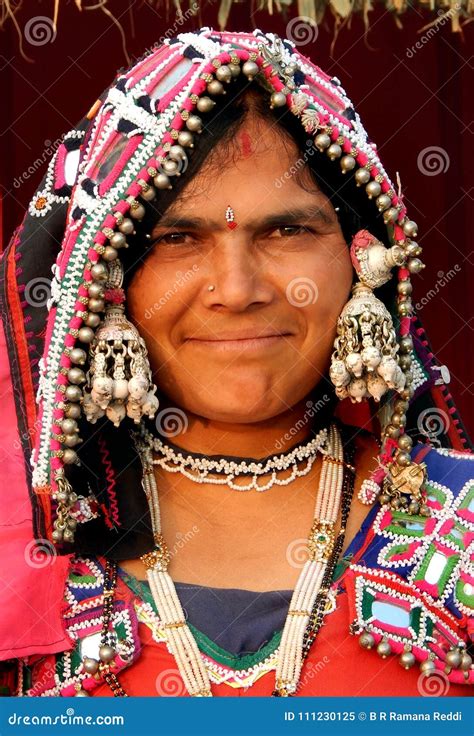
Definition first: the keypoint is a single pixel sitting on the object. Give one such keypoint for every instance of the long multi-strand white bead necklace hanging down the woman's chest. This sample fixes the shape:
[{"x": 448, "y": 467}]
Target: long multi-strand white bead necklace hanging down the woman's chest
[{"x": 320, "y": 545}]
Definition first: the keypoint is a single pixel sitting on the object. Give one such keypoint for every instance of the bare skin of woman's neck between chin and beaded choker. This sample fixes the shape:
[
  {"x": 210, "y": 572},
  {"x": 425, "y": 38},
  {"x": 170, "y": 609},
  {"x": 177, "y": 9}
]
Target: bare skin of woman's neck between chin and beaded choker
[{"x": 275, "y": 435}]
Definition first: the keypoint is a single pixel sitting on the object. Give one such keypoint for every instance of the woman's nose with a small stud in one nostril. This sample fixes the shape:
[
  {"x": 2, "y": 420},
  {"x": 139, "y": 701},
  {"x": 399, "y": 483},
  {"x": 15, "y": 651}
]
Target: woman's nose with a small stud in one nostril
[{"x": 240, "y": 277}]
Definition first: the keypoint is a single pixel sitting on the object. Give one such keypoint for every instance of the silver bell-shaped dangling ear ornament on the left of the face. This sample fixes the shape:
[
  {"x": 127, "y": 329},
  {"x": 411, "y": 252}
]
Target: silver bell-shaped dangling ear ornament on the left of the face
[{"x": 119, "y": 381}]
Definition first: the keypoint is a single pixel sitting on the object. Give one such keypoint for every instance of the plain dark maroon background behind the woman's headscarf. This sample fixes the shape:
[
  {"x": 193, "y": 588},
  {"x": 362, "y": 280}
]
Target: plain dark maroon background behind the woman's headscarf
[{"x": 415, "y": 101}]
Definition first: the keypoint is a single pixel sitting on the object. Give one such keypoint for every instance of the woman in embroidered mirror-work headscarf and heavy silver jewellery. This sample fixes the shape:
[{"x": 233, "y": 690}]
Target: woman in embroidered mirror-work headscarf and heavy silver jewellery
[{"x": 228, "y": 477}]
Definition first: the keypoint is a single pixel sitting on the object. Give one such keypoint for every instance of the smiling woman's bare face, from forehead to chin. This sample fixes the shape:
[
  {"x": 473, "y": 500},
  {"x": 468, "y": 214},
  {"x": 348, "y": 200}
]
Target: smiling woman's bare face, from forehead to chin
[{"x": 283, "y": 269}]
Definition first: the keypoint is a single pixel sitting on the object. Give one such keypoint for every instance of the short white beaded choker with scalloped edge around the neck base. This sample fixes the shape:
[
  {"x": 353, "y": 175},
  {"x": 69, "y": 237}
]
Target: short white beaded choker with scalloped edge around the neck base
[{"x": 199, "y": 469}]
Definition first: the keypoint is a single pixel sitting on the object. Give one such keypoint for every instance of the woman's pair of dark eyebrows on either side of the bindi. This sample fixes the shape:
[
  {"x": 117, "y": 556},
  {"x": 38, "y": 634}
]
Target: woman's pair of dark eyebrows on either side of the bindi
[{"x": 303, "y": 215}]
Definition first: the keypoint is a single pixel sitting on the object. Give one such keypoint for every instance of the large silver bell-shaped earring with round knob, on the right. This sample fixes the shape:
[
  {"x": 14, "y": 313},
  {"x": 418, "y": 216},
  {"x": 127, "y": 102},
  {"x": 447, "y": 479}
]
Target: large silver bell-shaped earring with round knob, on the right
[{"x": 364, "y": 362}]
